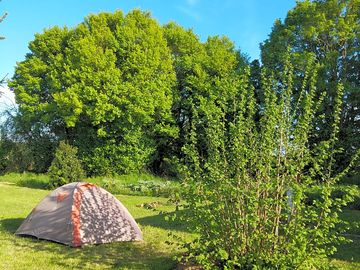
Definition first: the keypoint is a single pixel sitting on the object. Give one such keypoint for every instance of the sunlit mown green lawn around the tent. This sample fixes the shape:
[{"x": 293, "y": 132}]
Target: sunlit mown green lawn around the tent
[{"x": 16, "y": 202}]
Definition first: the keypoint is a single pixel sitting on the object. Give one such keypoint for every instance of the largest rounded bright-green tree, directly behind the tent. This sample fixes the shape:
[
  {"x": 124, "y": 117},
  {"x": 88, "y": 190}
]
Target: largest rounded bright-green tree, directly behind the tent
[{"x": 104, "y": 86}]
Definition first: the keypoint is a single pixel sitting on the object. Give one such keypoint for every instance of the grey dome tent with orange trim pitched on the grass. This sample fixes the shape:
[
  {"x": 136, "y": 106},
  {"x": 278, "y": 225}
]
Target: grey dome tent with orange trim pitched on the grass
[{"x": 80, "y": 213}]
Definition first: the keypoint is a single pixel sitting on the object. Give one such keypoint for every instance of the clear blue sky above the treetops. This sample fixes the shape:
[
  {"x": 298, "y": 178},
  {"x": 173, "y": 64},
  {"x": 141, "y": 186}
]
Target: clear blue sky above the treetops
[{"x": 245, "y": 22}]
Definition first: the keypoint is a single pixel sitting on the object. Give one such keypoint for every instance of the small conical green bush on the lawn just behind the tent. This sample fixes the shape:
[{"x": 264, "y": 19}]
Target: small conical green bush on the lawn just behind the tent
[{"x": 65, "y": 168}]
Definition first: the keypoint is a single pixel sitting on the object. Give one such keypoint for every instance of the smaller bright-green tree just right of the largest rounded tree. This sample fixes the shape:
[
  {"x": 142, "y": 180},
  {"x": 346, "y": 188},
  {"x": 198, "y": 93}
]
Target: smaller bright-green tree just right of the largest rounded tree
[{"x": 204, "y": 71}]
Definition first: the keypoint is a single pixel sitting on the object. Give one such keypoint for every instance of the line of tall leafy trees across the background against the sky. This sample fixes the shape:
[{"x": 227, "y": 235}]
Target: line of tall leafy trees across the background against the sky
[{"x": 126, "y": 91}]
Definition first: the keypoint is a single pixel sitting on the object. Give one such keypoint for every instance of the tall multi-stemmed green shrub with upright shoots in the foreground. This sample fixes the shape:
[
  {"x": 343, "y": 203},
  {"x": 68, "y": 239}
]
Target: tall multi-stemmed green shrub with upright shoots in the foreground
[{"x": 246, "y": 179}]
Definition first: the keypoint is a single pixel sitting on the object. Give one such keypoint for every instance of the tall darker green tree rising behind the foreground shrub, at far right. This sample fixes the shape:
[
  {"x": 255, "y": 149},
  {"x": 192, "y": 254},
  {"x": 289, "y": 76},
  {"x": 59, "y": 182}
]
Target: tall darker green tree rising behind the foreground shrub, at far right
[{"x": 329, "y": 30}]
